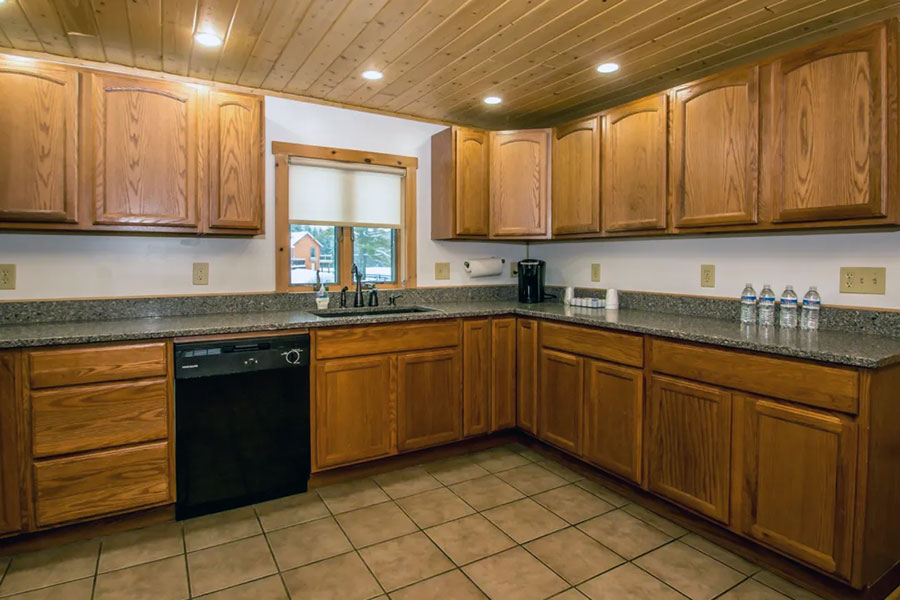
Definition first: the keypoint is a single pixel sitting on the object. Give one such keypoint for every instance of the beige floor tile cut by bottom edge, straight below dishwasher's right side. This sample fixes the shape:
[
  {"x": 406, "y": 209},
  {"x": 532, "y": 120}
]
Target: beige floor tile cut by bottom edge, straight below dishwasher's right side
[{"x": 343, "y": 577}]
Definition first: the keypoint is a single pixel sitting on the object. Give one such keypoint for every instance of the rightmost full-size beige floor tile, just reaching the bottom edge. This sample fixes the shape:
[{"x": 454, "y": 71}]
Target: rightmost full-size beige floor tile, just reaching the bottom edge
[{"x": 689, "y": 571}]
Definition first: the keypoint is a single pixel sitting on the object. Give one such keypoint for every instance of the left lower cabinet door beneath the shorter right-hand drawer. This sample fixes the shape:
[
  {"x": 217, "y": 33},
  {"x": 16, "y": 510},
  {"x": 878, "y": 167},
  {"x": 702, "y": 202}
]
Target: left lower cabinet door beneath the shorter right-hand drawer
[{"x": 560, "y": 402}]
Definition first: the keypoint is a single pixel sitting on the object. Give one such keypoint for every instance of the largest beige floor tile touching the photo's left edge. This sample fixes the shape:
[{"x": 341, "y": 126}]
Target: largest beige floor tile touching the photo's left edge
[{"x": 44, "y": 568}]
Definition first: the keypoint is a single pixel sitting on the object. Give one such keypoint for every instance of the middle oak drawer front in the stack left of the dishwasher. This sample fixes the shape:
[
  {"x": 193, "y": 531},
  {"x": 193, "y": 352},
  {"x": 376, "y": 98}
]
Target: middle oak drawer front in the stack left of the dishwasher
[{"x": 75, "y": 419}]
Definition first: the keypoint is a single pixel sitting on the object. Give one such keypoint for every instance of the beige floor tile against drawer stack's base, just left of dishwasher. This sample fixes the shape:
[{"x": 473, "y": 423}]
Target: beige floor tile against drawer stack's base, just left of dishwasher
[{"x": 140, "y": 546}]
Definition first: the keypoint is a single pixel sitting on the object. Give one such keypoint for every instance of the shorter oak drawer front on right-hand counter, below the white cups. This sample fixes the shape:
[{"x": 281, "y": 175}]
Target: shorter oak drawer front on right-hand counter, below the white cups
[{"x": 622, "y": 348}]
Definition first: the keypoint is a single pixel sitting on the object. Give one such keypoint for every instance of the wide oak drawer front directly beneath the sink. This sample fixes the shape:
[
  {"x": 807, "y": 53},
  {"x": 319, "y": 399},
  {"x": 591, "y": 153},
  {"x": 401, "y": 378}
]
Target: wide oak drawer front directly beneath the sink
[{"x": 380, "y": 339}]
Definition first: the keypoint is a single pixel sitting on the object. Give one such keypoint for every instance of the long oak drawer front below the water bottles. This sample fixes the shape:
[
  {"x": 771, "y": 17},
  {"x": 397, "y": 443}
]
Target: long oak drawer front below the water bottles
[{"x": 834, "y": 388}]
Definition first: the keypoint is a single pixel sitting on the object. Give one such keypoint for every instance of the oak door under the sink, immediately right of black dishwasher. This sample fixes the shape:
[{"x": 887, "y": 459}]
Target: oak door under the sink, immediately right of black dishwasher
[{"x": 354, "y": 410}]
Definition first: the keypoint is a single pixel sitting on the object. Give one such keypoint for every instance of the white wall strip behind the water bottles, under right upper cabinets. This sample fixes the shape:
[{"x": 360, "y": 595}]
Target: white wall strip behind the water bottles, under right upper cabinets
[{"x": 672, "y": 265}]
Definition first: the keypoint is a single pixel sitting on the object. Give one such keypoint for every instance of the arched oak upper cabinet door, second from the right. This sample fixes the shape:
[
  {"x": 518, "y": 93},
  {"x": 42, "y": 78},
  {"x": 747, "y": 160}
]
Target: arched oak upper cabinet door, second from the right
[{"x": 715, "y": 150}]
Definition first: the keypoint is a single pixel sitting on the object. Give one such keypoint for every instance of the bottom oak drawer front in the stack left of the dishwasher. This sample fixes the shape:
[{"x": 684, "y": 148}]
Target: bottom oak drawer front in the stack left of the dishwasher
[{"x": 101, "y": 483}]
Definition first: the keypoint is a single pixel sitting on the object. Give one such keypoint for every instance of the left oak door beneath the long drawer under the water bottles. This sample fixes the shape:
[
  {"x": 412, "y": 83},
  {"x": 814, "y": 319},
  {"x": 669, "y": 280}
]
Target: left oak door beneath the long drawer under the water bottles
[{"x": 689, "y": 449}]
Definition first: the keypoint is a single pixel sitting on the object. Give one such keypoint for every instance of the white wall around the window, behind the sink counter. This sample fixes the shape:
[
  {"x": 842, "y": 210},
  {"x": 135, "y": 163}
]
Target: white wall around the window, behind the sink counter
[{"x": 77, "y": 266}]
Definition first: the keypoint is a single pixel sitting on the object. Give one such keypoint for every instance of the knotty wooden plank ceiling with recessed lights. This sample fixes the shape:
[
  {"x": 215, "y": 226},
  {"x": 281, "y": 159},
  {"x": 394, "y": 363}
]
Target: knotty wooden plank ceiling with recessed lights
[{"x": 439, "y": 58}]
